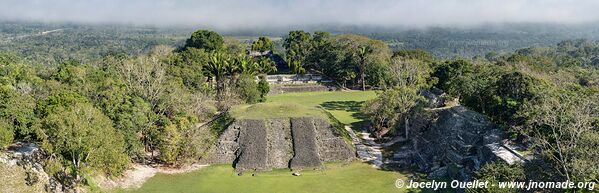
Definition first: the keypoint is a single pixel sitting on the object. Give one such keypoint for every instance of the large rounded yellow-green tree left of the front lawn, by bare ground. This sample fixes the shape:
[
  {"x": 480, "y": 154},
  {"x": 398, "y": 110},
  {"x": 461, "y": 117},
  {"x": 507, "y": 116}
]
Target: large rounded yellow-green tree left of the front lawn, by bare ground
[{"x": 85, "y": 137}]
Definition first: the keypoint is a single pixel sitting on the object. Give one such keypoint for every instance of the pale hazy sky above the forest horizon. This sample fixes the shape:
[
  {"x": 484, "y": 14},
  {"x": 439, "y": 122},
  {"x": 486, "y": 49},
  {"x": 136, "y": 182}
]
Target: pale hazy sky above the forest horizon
[{"x": 279, "y": 13}]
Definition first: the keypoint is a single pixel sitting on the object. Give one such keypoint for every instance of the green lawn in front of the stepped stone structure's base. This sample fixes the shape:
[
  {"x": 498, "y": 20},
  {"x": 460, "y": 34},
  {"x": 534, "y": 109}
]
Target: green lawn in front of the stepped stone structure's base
[{"x": 354, "y": 177}]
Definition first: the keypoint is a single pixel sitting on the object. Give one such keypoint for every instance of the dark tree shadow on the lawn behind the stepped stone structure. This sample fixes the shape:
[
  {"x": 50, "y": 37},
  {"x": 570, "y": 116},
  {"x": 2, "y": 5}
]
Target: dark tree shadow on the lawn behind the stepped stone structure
[{"x": 354, "y": 107}]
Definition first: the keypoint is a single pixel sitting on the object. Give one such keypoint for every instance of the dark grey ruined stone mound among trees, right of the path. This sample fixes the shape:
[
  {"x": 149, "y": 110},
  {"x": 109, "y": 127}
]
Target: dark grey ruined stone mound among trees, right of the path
[{"x": 457, "y": 143}]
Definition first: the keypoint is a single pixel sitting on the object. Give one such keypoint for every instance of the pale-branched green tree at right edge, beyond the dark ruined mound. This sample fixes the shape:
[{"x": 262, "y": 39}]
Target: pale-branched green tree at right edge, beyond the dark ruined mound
[{"x": 563, "y": 127}]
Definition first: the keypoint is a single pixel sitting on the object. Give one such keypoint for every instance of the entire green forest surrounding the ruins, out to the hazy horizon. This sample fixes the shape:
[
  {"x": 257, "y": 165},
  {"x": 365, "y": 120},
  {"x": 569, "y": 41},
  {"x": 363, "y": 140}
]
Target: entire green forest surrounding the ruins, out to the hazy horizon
[{"x": 99, "y": 100}]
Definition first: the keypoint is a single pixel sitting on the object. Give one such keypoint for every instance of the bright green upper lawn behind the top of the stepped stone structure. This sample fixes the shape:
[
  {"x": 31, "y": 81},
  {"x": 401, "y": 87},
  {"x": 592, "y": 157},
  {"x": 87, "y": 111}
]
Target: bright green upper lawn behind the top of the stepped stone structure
[{"x": 344, "y": 105}]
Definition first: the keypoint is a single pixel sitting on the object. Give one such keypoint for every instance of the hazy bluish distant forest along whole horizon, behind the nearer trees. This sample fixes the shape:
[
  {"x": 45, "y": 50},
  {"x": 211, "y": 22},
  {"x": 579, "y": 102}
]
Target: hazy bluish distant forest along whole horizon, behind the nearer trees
[{"x": 61, "y": 41}]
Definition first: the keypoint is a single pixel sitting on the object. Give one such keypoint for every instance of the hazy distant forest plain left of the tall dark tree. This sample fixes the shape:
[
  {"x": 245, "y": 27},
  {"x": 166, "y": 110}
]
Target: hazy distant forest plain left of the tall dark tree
[{"x": 51, "y": 44}]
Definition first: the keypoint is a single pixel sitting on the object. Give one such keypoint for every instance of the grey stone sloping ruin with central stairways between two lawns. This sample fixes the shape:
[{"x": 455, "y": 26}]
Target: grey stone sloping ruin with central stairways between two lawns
[{"x": 296, "y": 143}]
